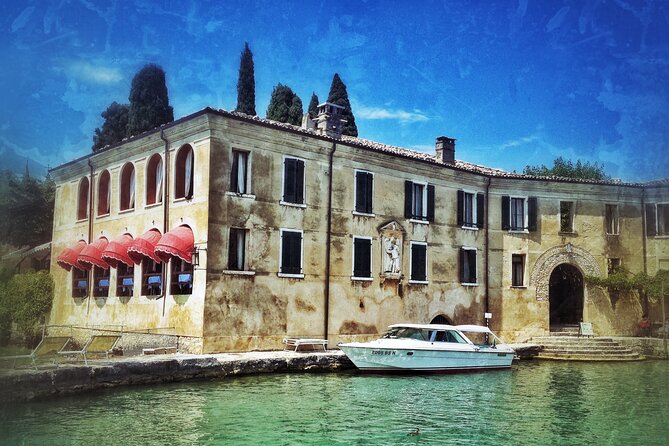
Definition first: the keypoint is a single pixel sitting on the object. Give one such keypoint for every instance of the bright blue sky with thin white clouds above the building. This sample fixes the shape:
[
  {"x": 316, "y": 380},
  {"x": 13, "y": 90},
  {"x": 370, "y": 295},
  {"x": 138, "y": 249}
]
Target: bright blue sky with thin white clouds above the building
[{"x": 515, "y": 82}]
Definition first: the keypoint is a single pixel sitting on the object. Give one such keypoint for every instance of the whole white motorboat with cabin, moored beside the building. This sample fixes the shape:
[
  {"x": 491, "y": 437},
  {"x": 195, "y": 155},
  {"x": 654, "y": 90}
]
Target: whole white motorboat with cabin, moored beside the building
[{"x": 431, "y": 348}]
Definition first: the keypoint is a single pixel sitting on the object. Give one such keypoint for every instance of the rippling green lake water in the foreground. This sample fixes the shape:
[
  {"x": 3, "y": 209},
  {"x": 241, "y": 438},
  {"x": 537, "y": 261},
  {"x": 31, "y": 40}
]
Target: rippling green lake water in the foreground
[{"x": 534, "y": 403}]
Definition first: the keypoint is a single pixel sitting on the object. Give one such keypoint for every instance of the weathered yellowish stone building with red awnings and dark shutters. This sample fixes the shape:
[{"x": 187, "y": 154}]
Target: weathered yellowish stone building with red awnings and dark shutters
[{"x": 235, "y": 231}]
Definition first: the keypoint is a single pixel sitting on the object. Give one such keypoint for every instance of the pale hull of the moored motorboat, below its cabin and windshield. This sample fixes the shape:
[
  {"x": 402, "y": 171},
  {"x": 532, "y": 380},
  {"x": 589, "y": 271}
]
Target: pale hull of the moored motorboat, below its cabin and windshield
[{"x": 380, "y": 359}]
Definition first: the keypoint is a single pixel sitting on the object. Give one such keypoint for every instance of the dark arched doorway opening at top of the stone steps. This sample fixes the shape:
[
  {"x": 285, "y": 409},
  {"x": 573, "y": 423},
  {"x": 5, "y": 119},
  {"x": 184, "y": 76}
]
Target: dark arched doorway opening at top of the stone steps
[{"x": 565, "y": 296}]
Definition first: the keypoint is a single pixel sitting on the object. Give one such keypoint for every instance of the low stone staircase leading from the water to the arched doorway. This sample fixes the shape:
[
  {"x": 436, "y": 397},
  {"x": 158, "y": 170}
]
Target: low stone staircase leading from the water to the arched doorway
[{"x": 569, "y": 346}]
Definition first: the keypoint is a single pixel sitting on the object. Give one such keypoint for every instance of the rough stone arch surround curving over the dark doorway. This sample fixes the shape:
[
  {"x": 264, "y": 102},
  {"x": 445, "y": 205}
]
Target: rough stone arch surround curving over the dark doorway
[{"x": 549, "y": 260}]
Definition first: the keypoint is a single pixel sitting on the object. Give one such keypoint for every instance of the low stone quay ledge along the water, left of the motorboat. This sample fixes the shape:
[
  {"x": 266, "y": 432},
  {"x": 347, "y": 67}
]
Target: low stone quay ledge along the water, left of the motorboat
[{"x": 66, "y": 379}]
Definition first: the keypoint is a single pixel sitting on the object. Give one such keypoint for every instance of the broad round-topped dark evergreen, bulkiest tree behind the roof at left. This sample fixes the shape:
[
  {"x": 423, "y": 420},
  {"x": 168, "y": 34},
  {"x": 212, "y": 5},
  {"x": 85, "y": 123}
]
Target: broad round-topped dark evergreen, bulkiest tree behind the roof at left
[{"x": 149, "y": 104}]
